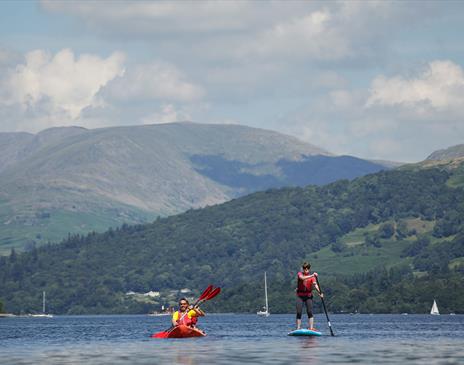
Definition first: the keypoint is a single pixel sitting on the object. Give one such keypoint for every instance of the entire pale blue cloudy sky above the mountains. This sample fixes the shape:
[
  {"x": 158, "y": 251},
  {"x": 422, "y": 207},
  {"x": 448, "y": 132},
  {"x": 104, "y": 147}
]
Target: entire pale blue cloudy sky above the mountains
[{"x": 374, "y": 79}]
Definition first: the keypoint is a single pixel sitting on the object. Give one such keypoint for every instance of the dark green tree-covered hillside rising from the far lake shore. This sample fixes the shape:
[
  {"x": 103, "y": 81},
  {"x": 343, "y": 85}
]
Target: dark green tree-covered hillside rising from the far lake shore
[{"x": 232, "y": 244}]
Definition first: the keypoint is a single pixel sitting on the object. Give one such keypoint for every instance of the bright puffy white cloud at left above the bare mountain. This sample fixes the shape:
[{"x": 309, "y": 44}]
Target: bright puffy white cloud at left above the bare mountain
[{"x": 58, "y": 84}]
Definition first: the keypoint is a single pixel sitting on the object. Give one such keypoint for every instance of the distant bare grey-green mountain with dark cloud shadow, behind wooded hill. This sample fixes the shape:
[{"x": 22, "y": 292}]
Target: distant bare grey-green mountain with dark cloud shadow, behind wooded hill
[{"x": 76, "y": 180}]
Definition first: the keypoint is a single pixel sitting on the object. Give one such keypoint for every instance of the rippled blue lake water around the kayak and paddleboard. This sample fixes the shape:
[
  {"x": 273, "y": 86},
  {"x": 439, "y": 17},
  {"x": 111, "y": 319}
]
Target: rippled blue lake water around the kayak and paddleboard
[{"x": 232, "y": 339}]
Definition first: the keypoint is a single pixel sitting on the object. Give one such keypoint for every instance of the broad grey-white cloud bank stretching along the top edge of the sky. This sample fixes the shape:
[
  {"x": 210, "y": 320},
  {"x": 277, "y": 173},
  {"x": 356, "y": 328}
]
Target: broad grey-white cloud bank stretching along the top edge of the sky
[{"x": 242, "y": 29}]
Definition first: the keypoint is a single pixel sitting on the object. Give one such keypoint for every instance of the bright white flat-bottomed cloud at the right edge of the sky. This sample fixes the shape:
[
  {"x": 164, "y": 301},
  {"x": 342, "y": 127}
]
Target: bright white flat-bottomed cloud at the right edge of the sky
[{"x": 440, "y": 85}]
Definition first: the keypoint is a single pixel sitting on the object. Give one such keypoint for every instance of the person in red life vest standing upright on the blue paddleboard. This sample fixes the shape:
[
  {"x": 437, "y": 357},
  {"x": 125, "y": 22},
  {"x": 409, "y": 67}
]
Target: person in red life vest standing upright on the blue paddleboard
[{"x": 306, "y": 282}]
